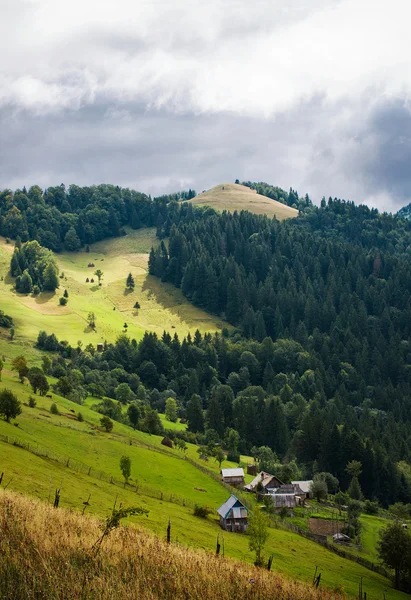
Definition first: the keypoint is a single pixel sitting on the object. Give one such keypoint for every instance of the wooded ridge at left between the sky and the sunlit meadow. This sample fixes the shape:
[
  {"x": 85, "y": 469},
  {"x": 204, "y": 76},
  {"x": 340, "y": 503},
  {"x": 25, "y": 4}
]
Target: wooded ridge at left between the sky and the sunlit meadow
[{"x": 67, "y": 219}]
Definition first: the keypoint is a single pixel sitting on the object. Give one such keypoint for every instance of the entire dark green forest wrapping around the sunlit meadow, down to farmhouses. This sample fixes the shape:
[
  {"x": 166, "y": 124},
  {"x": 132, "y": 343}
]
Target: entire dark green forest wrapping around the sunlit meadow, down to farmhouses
[{"x": 317, "y": 365}]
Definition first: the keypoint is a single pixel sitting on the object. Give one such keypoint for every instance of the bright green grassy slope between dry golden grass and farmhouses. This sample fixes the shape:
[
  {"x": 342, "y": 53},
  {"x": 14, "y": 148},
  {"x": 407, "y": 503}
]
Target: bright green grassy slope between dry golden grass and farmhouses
[{"x": 294, "y": 556}]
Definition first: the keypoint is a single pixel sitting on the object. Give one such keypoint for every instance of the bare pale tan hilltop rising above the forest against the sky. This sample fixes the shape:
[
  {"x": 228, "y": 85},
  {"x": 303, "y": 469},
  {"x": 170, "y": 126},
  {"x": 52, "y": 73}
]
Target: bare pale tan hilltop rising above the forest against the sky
[{"x": 240, "y": 197}]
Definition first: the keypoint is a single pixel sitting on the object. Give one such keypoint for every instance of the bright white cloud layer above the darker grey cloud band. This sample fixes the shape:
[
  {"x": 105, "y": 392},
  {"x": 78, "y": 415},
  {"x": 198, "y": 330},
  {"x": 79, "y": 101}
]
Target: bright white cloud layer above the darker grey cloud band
[{"x": 206, "y": 56}]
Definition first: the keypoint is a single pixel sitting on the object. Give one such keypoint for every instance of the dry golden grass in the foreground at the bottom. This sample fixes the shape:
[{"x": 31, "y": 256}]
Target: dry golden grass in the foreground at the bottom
[{"x": 46, "y": 553}]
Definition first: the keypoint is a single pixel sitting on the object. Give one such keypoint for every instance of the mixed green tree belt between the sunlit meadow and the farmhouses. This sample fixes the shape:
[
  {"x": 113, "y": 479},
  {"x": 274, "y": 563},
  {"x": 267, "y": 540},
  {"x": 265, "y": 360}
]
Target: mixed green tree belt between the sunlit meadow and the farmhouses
[{"x": 245, "y": 394}]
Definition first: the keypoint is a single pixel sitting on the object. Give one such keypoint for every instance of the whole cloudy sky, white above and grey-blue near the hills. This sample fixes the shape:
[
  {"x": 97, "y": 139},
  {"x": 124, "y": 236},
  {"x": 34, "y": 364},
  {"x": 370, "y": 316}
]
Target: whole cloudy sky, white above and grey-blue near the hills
[{"x": 161, "y": 95}]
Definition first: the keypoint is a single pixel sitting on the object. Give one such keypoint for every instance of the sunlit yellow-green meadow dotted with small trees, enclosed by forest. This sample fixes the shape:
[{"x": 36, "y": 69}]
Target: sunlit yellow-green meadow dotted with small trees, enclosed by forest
[{"x": 162, "y": 307}]
